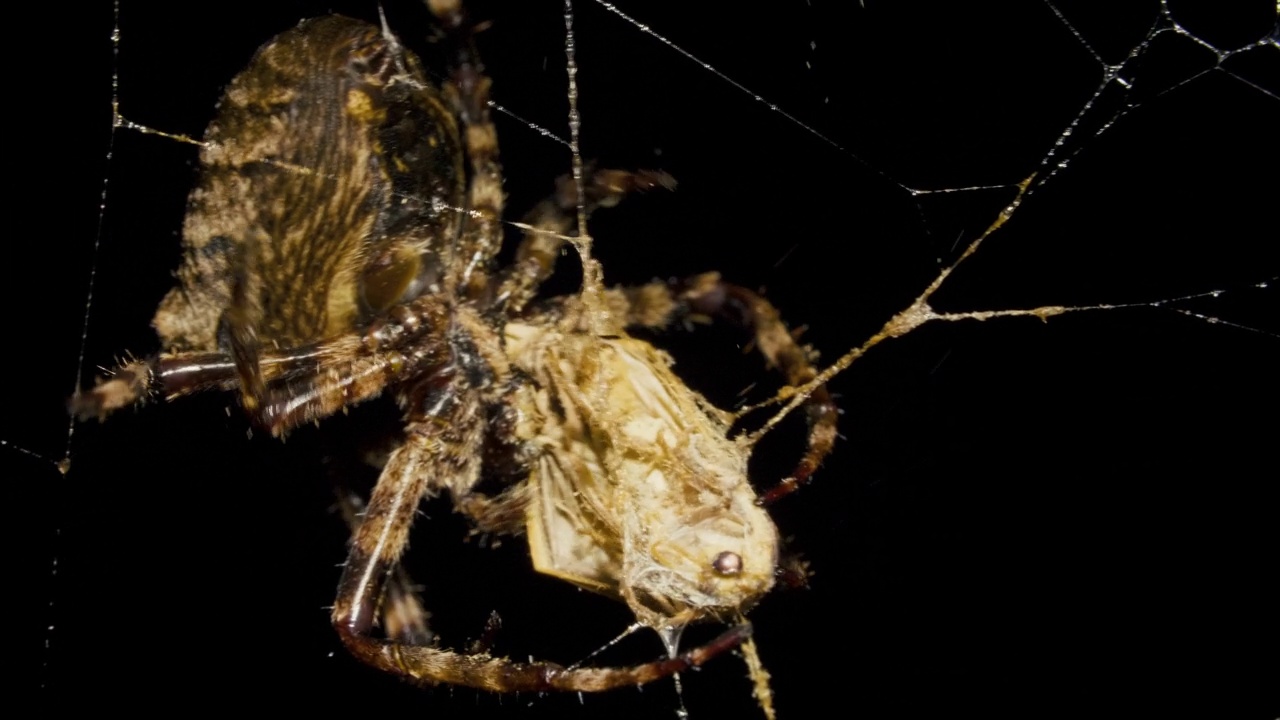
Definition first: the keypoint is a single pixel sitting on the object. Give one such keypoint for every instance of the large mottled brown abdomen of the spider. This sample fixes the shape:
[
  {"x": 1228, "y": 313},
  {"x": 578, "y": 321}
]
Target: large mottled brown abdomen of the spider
[{"x": 328, "y": 180}]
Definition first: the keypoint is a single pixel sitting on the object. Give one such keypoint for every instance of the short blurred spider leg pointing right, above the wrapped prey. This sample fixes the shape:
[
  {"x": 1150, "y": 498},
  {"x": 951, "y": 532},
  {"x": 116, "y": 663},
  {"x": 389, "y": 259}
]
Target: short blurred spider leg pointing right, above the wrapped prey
[{"x": 550, "y": 222}]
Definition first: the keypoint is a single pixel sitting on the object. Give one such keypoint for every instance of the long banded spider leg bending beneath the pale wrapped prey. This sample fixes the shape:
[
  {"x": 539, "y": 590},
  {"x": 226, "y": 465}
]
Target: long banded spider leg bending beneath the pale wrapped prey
[{"x": 442, "y": 450}]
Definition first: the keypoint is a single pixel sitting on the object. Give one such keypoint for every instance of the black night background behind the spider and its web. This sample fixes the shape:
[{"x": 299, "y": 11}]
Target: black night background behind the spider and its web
[{"x": 1025, "y": 518}]
